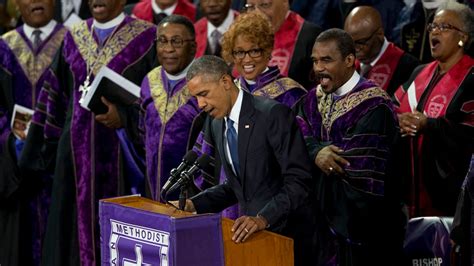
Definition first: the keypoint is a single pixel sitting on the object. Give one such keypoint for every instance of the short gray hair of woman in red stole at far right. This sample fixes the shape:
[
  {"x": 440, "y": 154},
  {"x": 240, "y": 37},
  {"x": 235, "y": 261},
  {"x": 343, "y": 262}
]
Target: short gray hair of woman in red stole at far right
[{"x": 466, "y": 15}]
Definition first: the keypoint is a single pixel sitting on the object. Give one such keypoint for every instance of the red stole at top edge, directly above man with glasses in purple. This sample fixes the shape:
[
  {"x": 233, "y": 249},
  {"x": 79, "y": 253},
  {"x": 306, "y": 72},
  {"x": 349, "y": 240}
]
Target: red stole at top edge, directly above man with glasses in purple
[{"x": 144, "y": 10}]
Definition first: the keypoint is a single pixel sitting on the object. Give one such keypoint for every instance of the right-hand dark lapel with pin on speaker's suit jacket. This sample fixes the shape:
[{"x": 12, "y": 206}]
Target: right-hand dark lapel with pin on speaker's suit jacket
[{"x": 246, "y": 125}]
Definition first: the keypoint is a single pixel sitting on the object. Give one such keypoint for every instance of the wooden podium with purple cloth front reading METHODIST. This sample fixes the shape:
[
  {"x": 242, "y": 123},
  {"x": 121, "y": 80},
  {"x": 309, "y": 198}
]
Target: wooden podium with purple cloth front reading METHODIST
[{"x": 139, "y": 231}]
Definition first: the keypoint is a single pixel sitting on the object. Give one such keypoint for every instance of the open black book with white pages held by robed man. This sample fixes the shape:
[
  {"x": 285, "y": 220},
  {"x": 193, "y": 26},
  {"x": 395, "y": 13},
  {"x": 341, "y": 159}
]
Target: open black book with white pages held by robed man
[{"x": 114, "y": 87}]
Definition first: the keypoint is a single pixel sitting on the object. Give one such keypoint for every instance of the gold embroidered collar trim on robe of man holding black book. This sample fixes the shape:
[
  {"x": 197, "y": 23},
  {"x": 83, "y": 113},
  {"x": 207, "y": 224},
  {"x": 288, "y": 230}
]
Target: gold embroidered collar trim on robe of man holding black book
[{"x": 96, "y": 57}]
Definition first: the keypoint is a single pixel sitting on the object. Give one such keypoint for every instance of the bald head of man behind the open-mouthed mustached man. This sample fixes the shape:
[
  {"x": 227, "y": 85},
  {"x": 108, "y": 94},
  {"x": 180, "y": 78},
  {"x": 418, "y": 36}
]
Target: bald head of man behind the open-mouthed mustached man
[{"x": 364, "y": 24}]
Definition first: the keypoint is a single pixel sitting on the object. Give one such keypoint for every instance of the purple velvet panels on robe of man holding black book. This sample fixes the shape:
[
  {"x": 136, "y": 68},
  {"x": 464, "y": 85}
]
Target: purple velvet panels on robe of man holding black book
[{"x": 96, "y": 149}]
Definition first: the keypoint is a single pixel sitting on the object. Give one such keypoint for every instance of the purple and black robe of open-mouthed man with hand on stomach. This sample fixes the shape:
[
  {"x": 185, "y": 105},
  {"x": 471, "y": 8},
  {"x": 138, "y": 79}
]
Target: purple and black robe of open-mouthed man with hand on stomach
[{"x": 362, "y": 203}]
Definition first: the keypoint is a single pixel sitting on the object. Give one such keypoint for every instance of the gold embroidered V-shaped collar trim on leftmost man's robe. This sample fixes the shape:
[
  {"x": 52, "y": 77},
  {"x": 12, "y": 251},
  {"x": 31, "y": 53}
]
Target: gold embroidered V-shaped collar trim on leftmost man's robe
[{"x": 34, "y": 65}]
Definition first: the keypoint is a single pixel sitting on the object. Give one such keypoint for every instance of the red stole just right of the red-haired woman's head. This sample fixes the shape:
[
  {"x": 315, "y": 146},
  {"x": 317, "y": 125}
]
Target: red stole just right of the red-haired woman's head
[{"x": 285, "y": 42}]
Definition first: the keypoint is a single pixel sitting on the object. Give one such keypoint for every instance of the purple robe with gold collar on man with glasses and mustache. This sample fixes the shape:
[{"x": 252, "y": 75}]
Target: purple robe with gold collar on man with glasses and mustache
[{"x": 166, "y": 131}]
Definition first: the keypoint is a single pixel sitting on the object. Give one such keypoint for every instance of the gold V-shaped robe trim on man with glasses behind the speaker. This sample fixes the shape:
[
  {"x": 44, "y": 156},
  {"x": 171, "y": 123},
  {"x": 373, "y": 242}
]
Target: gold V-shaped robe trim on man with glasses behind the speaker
[{"x": 165, "y": 104}]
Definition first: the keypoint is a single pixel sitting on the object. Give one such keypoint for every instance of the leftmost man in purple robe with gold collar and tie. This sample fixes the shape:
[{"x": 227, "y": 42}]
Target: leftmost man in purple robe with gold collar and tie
[{"x": 27, "y": 54}]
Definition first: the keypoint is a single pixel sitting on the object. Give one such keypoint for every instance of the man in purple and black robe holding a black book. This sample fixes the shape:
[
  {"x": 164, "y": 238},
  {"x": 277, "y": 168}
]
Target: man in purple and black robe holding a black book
[{"x": 94, "y": 155}]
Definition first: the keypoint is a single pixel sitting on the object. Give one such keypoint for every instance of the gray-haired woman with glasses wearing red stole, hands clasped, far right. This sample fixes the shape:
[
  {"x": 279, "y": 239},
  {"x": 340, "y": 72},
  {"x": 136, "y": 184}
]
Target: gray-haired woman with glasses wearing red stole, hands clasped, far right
[{"x": 436, "y": 116}]
